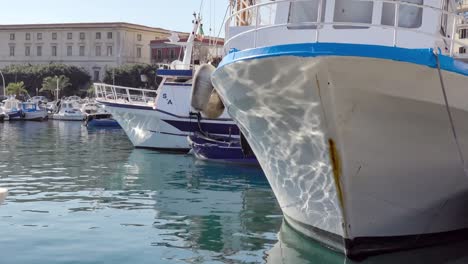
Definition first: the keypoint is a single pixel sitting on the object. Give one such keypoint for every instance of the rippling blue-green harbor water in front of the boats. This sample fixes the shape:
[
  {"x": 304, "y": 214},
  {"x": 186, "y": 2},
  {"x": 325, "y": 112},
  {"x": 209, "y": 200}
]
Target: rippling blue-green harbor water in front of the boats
[{"x": 87, "y": 196}]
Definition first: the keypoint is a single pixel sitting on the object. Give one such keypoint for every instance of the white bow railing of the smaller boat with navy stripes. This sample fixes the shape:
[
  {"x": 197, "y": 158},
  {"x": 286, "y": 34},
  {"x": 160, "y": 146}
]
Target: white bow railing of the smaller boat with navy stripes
[{"x": 121, "y": 94}]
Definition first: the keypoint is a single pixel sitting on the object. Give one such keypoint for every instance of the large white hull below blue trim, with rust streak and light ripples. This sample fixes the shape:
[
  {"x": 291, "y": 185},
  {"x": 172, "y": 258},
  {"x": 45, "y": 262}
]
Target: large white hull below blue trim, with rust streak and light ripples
[{"x": 358, "y": 151}]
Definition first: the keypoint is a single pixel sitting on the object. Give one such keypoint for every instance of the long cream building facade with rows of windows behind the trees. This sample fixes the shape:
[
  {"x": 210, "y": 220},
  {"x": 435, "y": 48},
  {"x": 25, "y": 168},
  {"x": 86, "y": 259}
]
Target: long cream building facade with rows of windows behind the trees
[{"x": 93, "y": 46}]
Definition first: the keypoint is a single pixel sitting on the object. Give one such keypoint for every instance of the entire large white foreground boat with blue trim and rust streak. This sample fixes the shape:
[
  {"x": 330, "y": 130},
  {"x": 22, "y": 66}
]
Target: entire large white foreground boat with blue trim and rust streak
[{"x": 356, "y": 111}]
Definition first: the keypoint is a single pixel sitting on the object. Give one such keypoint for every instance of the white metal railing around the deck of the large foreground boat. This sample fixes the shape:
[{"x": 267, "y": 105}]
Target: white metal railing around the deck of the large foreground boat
[{"x": 258, "y": 12}]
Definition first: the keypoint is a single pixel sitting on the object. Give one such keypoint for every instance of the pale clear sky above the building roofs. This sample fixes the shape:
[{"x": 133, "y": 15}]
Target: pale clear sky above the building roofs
[{"x": 172, "y": 14}]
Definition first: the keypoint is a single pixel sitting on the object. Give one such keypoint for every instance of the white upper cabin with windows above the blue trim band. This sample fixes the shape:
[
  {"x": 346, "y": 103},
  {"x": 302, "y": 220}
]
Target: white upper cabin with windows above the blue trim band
[{"x": 405, "y": 23}]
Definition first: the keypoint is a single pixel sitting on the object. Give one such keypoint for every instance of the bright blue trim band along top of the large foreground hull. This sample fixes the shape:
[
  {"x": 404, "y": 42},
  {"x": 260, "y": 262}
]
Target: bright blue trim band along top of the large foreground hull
[{"x": 424, "y": 57}]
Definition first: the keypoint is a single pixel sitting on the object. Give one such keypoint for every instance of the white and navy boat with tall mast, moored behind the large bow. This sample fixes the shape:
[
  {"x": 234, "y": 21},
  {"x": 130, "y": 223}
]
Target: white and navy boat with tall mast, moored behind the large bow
[{"x": 161, "y": 119}]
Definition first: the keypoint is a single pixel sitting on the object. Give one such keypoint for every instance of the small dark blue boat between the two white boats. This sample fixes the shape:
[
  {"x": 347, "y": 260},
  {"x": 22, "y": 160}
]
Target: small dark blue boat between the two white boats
[{"x": 220, "y": 148}]
